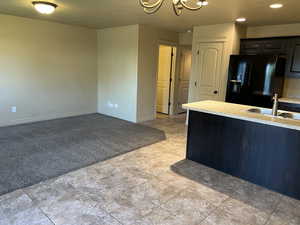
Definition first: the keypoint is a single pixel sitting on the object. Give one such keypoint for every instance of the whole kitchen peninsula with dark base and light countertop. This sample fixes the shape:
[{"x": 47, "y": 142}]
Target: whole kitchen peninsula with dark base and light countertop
[{"x": 249, "y": 144}]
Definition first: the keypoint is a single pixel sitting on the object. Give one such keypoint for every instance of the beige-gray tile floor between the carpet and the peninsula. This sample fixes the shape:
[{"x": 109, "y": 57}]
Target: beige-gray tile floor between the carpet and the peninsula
[{"x": 153, "y": 185}]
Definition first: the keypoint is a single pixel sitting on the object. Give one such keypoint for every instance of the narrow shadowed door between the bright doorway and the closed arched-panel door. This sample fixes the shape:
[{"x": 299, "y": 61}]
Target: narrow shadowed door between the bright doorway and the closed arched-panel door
[{"x": 184, "y": 77}]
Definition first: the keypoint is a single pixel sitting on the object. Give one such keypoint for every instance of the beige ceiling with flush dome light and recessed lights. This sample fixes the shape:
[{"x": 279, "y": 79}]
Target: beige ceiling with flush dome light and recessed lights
[{"x": 110, "y": 13}]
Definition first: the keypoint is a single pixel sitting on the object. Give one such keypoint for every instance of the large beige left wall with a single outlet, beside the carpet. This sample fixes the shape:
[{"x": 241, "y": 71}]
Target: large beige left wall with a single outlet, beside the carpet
[{"x": 47, "y": 70}]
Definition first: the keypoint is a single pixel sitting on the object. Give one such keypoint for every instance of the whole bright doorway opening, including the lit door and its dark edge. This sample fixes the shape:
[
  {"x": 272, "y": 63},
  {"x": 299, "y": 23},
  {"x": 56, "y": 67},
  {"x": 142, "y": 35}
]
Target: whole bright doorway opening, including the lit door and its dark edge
[{"x": 165, "y": 76}]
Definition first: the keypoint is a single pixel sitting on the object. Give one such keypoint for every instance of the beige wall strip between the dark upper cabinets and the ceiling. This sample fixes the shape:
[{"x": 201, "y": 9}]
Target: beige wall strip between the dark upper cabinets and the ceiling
[{"x": 274, "y": 30}]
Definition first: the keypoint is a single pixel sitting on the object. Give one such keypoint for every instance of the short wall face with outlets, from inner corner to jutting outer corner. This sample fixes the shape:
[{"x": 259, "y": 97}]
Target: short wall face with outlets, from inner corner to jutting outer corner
[{"x": 117, "y": 72}]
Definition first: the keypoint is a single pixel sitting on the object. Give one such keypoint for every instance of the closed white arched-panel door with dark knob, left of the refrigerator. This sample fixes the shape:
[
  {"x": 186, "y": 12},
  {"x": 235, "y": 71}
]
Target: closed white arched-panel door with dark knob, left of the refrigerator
[{"x": 209, "y": 70}]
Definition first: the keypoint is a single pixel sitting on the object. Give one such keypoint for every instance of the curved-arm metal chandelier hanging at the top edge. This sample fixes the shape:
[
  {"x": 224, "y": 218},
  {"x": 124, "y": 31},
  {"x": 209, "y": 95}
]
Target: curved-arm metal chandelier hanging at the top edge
[{"x": 178, "y": 6}]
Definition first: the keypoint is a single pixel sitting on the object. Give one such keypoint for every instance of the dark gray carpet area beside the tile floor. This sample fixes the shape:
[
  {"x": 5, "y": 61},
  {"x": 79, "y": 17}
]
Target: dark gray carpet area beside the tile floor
[{"x": 38, "y": 151}]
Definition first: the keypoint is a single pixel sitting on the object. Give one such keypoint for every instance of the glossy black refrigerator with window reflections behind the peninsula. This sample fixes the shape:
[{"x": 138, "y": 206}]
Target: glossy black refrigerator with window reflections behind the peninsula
[{"x": 254, "y": 79}]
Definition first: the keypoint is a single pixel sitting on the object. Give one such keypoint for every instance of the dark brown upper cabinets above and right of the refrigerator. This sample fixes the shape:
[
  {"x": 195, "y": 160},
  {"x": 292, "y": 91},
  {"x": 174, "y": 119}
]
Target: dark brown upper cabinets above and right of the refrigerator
[{"x": 288, "y": 46}]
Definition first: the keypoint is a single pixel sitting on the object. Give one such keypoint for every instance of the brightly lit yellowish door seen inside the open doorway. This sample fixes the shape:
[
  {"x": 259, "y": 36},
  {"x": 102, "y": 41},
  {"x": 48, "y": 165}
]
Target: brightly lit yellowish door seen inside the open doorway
[{"x": 163, "y": 79}]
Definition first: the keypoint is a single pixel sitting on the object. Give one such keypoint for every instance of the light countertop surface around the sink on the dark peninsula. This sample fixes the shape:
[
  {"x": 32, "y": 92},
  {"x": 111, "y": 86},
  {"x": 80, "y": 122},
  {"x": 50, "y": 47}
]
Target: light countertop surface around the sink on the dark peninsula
[{"x": 237, "y": 111}]
